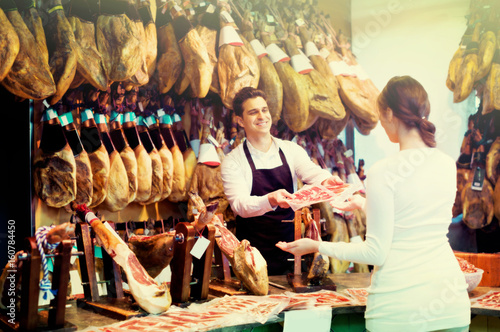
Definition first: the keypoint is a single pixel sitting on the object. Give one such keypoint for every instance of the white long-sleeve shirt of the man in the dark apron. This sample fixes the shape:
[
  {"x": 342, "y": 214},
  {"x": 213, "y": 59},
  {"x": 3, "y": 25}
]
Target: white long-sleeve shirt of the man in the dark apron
[{"x": 237, "y": 174}]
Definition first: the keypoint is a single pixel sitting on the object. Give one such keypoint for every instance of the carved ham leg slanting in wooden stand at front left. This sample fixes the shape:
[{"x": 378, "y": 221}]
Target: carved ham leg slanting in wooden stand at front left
[{"x": 150, "y": 296}]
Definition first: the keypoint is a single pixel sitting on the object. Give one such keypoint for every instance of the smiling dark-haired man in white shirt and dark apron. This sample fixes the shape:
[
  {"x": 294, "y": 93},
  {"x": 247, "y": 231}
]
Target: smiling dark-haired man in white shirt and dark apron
[{"x": 259, "y": 176}]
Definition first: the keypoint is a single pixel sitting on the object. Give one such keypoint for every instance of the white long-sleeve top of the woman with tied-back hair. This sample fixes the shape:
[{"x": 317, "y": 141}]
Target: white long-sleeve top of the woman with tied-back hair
[{"x": 417, "y": 284}]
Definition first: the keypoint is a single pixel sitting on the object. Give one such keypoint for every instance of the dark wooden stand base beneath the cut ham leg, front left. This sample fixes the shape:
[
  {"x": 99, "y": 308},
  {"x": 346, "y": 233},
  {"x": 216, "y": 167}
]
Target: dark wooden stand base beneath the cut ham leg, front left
[{"x": 120, "y": 309}]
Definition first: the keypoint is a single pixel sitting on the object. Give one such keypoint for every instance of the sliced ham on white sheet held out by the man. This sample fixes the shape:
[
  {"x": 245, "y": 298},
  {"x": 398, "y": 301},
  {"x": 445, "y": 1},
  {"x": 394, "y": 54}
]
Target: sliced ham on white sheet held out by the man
[{"x": 312, "y": 194}]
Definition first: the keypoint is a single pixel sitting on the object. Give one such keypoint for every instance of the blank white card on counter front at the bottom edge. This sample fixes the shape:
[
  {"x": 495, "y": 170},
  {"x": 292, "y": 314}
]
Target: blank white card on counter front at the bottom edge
[{"x": 300, "y": 320}]
